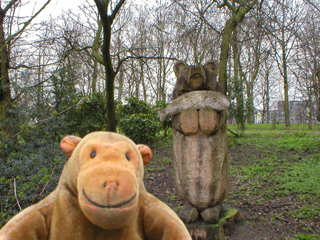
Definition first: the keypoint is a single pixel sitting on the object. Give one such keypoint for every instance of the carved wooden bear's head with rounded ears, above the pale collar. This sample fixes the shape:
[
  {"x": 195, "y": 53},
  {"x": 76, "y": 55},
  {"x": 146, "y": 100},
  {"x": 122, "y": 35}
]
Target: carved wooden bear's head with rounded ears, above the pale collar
[{"x": 195, "y": 77}]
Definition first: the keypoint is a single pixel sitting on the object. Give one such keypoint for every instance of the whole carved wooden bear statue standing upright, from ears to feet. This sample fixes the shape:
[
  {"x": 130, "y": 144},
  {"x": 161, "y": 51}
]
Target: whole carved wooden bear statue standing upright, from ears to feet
[{"x": 199, "y": 141}]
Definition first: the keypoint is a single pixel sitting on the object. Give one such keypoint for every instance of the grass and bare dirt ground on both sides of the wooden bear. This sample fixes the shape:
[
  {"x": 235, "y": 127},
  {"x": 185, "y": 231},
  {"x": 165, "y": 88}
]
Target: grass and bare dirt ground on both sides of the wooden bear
[{"x": 275, "y": 181}]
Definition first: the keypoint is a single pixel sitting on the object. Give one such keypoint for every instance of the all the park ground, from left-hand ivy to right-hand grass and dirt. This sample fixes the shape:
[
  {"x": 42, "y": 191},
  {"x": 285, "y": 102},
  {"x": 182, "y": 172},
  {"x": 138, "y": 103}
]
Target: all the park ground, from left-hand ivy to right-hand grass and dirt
[{"x": 275, "y": 179}]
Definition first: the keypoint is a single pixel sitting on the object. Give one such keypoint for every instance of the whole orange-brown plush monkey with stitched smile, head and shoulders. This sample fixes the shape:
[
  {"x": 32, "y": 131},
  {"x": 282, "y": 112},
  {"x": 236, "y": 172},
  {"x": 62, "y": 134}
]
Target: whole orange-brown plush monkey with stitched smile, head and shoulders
[{"x": 100, "y": 196}]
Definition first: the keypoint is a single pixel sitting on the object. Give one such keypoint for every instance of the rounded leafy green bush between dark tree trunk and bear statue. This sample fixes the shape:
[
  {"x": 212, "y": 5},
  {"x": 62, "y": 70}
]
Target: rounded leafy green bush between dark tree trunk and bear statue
[{"x": 138, "y": 121}]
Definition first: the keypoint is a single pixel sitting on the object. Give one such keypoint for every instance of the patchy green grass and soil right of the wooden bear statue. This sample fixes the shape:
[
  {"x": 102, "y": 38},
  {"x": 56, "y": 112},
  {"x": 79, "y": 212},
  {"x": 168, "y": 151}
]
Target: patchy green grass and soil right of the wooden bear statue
[{"x": 276, "y": 180}]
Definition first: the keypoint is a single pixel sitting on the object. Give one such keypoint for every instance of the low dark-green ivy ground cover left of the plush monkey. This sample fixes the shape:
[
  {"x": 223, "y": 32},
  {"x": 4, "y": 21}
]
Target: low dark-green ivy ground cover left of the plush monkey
[{"x": 34, "y": 167}]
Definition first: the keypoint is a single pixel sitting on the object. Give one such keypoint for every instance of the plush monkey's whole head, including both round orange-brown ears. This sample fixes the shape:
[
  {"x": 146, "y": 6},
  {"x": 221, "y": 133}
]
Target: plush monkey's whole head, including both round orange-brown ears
[{"x": 105, "y": 170}]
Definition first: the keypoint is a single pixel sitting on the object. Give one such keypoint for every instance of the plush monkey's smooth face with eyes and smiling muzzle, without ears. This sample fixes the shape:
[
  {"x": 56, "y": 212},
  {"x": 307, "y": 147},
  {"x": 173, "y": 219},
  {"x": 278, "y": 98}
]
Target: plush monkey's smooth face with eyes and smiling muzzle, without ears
[{"x": 107, "y": 183}]
